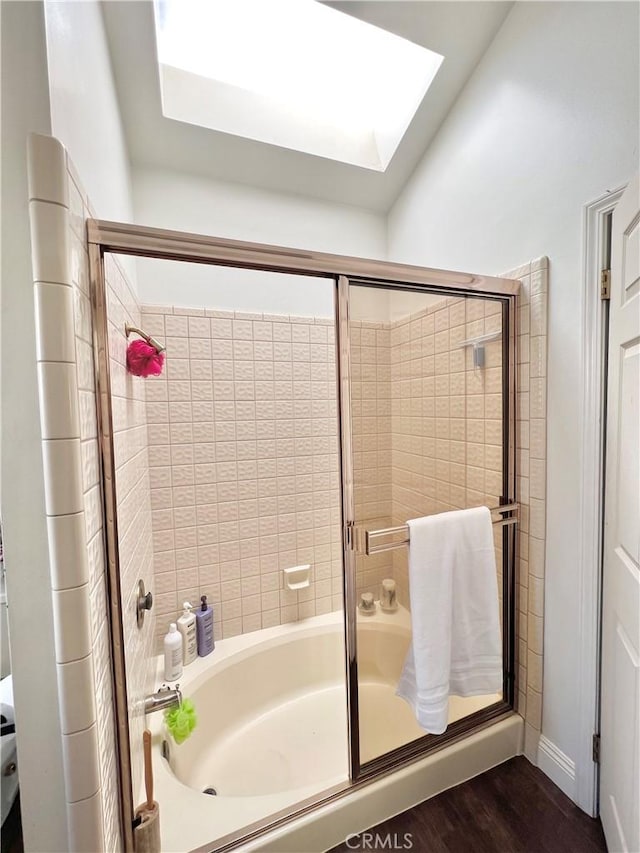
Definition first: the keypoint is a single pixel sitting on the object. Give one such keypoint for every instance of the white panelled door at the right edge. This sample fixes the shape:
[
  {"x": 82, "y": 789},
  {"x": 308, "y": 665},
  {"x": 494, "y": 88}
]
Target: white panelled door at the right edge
[{"x": 620, "y": 723}]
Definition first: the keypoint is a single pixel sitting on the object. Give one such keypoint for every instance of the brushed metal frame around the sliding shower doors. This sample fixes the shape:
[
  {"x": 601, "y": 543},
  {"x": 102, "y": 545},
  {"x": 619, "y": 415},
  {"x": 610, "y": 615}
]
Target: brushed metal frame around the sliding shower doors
[{"x": 125, "y": 239}]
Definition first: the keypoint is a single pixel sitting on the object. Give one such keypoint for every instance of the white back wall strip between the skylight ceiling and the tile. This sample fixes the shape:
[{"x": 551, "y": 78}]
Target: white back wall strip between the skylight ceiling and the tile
[{"x": 188, "y": 203}]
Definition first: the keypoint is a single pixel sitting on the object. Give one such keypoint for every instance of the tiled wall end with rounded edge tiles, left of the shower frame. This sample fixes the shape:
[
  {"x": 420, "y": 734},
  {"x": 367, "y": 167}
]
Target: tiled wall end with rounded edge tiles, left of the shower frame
[{"x": 58, "y": 209}]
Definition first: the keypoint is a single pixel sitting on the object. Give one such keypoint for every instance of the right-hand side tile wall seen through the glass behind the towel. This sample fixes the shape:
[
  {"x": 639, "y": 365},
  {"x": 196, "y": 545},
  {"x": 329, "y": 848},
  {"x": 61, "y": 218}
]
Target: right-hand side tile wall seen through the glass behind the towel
[{"x": 446, "y": 438}]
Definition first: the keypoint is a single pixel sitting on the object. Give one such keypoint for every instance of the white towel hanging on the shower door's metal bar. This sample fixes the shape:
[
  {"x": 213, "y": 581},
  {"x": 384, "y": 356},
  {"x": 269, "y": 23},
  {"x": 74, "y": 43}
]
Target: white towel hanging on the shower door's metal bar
[{"x": 456, "y": 645}]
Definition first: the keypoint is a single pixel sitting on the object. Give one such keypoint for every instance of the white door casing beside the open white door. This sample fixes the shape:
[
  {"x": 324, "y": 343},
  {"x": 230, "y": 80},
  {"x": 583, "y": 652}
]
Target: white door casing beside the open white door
[{"x": 592, "y": 477}]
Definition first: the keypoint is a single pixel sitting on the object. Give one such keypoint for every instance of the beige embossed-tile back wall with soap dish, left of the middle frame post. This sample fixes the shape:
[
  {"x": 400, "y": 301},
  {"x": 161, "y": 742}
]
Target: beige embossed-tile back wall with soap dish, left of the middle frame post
[{"x": 244, "y": 467}]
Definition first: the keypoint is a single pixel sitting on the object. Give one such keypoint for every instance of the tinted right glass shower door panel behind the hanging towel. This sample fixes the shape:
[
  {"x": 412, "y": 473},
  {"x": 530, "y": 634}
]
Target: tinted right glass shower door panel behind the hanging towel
[{"x": 427, "y": 429}]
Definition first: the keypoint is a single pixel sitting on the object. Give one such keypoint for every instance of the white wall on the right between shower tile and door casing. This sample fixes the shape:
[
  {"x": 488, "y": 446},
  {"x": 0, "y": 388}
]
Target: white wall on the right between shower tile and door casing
[{"x": 547, "y": 123}]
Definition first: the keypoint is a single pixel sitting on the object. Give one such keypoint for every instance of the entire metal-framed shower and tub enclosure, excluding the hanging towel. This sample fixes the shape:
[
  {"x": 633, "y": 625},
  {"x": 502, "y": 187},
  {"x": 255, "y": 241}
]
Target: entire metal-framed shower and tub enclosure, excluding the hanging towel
[{"x": 283, "y": 437}]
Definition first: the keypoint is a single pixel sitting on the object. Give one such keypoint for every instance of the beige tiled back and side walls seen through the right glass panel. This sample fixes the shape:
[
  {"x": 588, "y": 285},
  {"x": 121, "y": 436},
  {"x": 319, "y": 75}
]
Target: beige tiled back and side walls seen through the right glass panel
[{"x": 427, "y": 425}]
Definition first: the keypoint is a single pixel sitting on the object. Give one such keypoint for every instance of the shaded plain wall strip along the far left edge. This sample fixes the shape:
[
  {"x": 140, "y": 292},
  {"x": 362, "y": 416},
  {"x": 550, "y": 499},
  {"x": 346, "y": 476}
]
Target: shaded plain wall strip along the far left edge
[{"x": 25, "y": 107}]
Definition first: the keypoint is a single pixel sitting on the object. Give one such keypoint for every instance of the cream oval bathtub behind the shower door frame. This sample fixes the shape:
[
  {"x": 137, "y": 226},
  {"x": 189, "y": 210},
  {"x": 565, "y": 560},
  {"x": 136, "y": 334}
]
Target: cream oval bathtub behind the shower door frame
[{"x": 272, "y": 732}]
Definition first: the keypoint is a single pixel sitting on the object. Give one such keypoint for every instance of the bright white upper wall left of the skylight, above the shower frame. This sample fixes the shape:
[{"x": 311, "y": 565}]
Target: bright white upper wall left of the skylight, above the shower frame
[{"x": 85, "y": 115}]
